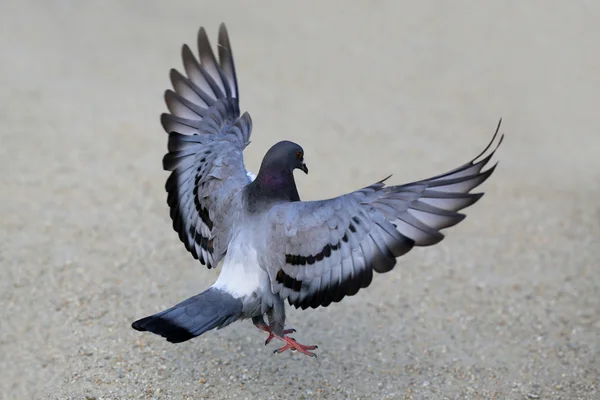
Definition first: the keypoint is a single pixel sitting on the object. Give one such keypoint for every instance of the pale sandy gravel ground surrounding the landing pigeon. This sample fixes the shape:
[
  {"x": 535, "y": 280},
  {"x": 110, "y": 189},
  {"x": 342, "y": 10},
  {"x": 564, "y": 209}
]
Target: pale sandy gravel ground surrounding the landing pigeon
[{"x": 505, "y": 308}]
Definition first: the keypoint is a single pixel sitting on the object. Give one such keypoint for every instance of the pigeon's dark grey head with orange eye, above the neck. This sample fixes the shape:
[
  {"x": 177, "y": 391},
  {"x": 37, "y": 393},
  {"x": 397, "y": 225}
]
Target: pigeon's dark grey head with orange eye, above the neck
[{"x": 283, "y": 158}]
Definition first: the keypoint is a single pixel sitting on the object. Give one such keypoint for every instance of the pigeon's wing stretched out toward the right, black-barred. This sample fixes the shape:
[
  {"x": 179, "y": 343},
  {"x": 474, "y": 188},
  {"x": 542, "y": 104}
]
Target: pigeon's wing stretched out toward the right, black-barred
[{"x": 319, "y": 252}]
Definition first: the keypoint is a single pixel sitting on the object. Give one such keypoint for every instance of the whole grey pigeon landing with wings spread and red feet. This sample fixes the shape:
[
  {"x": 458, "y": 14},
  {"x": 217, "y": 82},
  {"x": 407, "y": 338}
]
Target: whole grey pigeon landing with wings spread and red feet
[{"x": 274, "y": 248}]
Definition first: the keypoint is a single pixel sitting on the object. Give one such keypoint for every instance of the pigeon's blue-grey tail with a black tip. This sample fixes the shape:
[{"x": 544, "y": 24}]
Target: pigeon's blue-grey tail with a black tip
[{"x": 211, "y": 309}]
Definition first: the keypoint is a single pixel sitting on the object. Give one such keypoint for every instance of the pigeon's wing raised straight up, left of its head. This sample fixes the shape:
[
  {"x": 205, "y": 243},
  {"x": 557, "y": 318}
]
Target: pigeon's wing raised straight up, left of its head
[{"x": 206, "y": 138}]
